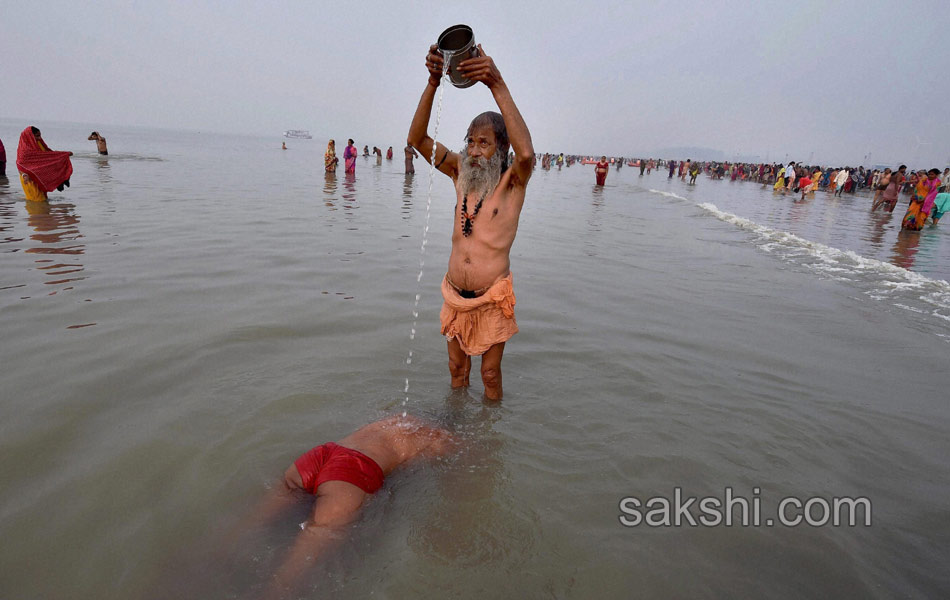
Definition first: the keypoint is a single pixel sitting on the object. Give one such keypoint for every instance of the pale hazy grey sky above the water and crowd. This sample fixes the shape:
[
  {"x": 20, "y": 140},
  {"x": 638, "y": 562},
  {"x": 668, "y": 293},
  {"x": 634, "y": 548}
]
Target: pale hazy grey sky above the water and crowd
[{"x": 824, "y": 82}]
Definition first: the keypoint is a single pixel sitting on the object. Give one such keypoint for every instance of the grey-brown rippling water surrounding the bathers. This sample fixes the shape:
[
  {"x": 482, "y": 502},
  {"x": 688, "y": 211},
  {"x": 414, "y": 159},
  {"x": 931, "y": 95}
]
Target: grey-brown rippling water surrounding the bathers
[{"x": 199, "y": 309}]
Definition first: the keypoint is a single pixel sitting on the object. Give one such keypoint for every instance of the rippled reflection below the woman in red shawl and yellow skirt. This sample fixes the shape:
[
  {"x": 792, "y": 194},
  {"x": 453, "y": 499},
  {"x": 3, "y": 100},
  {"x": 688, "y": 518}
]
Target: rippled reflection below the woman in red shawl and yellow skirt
[{"x": 56, "y": 228}]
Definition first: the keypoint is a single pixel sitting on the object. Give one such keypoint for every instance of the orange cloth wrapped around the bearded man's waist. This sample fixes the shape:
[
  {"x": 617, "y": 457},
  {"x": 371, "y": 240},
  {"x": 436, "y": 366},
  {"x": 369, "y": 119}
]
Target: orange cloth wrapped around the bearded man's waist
[{"x": 479, "y": 323}]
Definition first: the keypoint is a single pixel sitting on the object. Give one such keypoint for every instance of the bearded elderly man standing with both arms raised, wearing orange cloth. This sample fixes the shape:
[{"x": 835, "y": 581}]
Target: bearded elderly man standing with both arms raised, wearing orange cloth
[{"x": 477, "y": 316}]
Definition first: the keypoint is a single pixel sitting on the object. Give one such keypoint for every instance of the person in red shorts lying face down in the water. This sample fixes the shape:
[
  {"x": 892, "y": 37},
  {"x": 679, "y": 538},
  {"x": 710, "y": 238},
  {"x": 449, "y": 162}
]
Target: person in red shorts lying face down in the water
[{"x": 343, "y": 475}]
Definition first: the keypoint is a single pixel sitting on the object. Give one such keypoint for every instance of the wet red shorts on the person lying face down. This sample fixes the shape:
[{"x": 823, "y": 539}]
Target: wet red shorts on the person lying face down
[{"x": 332, "y": 462}]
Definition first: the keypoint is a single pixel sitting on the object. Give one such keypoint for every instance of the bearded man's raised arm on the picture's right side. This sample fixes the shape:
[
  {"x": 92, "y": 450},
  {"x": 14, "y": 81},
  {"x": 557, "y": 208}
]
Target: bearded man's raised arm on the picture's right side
[{"x": 483, "y": 69}]
